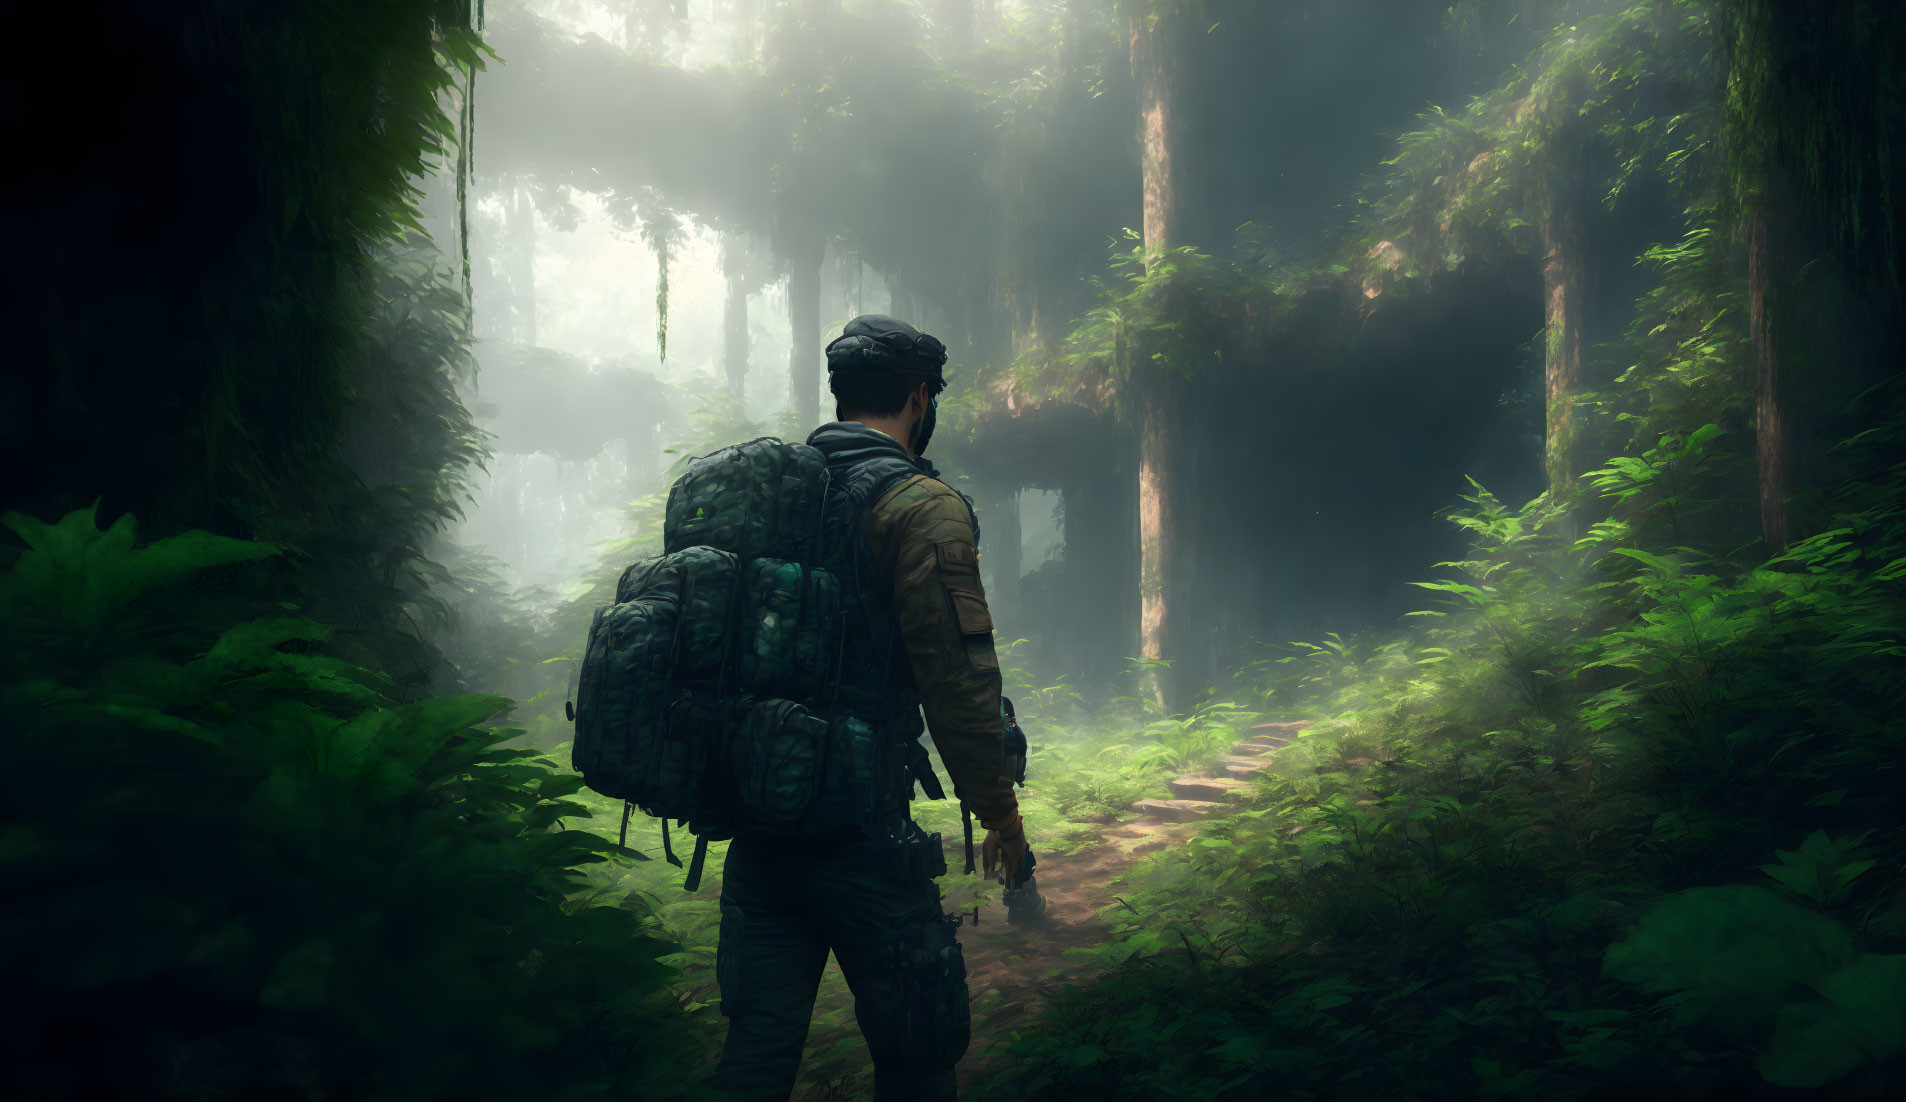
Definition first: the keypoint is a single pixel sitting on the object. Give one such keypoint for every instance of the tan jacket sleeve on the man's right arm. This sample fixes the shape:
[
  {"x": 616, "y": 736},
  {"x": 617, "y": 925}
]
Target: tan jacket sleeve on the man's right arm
[{"x": 950, "y": 642}]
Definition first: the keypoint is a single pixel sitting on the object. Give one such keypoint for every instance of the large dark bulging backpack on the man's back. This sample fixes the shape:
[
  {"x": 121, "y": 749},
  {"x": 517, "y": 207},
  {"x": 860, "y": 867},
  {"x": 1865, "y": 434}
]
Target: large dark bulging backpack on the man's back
[{"x": 748, "y": 680}]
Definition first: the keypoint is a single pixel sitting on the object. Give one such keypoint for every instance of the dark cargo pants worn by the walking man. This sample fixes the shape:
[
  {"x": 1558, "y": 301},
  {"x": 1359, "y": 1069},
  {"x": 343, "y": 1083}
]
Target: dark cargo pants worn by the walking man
[{"x": 872, "y": 901}]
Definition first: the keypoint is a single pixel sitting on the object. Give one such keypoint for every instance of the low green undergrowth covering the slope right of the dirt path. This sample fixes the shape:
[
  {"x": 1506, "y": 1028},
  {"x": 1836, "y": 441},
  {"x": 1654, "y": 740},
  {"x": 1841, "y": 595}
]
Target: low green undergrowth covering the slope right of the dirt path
[{"x": 1623, "y": 819}]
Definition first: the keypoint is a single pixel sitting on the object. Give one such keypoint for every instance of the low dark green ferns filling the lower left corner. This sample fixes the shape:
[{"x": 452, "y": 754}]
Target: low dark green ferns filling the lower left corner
[{"x": 233, "y": 865}]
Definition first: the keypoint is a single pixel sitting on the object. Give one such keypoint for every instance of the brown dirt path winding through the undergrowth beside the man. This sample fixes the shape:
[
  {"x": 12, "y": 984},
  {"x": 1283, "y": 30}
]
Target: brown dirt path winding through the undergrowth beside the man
[{"x": 1015, "y": 969}]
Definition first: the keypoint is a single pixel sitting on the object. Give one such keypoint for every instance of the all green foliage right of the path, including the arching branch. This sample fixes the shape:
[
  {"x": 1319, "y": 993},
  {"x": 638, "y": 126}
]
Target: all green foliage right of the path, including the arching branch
[{"x": 1627, "y": 815}]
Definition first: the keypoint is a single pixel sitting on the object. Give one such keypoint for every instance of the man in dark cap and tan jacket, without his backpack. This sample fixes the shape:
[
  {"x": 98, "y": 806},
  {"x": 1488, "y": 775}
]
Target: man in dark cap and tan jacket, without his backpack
[{"x": 870, "y": 897}]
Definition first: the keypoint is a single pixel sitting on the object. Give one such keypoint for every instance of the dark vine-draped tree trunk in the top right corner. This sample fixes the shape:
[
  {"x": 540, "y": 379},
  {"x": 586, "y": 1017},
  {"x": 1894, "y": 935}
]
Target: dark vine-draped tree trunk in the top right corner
[{"x": 1812, "y": 123}]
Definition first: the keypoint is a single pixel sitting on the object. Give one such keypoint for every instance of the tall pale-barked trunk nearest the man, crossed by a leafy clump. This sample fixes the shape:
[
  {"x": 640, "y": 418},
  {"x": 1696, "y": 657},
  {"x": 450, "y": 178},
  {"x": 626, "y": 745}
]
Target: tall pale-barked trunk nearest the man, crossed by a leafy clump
[{"x": 1154, "y": 66}]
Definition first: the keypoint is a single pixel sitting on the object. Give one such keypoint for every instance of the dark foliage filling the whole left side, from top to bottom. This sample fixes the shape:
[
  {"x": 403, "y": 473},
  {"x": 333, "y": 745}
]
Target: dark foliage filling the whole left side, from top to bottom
[{"x": 253, "y": 857}]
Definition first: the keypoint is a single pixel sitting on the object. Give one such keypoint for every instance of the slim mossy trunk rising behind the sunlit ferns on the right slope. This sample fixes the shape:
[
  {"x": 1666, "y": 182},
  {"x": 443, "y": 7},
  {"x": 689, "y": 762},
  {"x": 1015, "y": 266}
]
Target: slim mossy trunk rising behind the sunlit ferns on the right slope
[{"x": 1564, "y": 308}]
